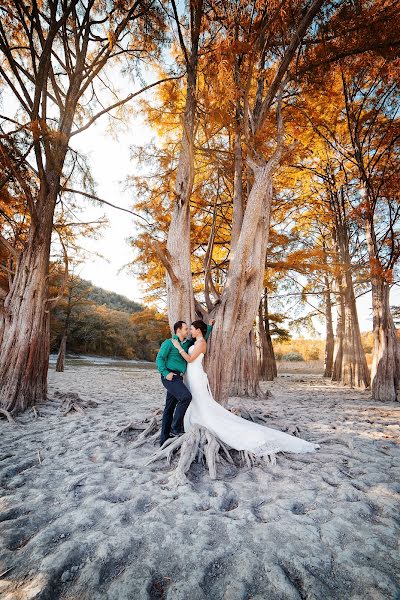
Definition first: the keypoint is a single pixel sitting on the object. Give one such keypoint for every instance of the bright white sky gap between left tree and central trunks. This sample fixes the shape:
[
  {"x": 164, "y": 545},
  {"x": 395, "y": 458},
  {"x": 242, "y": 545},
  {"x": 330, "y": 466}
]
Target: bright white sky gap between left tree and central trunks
[{"x": 111, "y": 163}]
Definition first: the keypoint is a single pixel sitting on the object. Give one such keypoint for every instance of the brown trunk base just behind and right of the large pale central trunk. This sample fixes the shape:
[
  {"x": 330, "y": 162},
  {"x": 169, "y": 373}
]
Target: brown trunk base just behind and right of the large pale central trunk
[{"x": 246, "y": 372}]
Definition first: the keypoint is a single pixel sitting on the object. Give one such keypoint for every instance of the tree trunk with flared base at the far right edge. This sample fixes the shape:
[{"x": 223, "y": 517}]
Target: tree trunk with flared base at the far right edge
[{"x": 385, "y": 372}]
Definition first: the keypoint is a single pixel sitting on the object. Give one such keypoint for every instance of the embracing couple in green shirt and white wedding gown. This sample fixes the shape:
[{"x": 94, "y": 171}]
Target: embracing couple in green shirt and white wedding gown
[{"x": 190, "y": 402}]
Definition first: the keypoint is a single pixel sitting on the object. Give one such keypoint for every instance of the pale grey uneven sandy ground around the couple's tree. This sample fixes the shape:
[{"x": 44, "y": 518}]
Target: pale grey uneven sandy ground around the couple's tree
[{"x": 83, "y": 519}]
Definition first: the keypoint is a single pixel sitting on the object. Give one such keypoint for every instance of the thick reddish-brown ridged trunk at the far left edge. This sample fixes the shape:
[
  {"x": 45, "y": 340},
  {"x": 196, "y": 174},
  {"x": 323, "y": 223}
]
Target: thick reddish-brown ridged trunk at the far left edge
[{"x": 24, "y": 325}]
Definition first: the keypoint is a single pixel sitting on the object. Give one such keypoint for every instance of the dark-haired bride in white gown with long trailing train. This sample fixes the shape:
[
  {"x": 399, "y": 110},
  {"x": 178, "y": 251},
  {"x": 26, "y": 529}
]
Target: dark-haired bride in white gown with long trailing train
[{"x": 236, "y": 432}]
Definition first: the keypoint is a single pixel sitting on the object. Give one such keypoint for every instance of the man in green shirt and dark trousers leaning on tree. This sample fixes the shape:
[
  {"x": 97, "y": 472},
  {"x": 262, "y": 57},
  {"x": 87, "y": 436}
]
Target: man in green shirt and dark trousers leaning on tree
[{"x": 172, "y": 367}]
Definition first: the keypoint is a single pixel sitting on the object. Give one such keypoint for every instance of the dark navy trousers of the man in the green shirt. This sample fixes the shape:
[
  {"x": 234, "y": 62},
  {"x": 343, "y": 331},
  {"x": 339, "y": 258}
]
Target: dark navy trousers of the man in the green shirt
[{"x": 176, "y": 404}]
